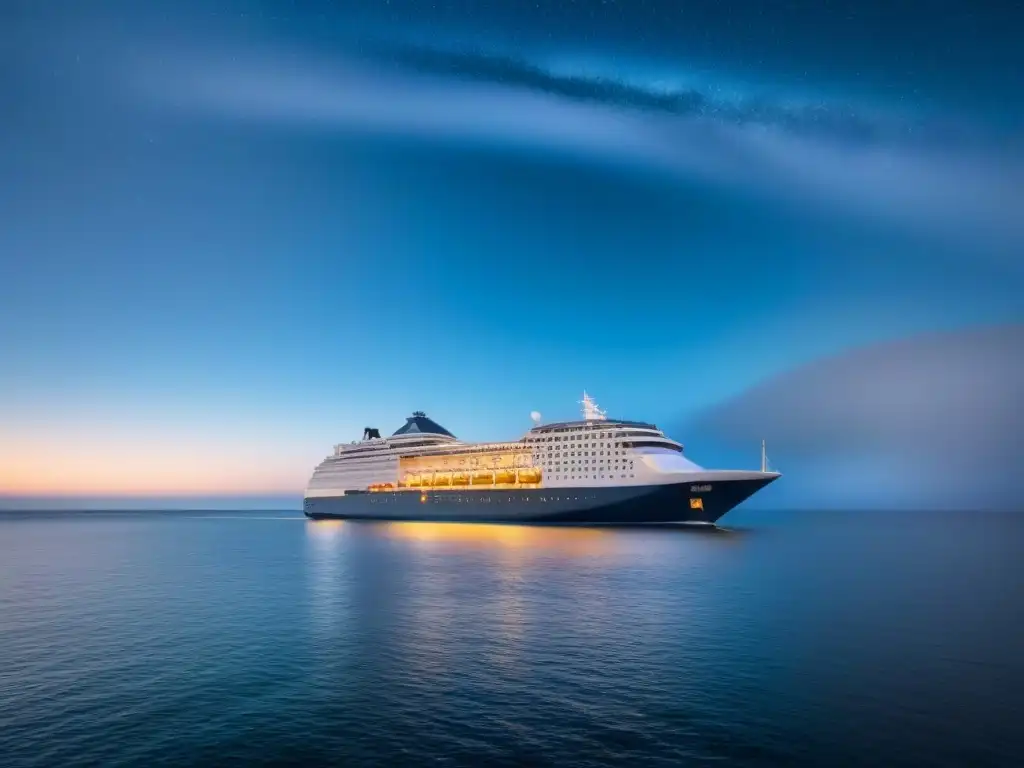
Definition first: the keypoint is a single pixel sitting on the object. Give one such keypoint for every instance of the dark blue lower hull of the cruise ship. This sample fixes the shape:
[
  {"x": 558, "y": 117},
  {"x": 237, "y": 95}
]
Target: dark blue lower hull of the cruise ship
[{"x": 592, "y": 506}]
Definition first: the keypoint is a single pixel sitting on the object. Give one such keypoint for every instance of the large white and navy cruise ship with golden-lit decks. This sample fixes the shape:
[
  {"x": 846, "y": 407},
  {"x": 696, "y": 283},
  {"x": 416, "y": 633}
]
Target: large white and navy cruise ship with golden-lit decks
[{"x": 596, "y": 472}]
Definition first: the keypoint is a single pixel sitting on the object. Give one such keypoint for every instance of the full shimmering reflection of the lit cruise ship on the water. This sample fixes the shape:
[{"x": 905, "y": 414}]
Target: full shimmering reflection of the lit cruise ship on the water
[{"x": 475, "y": 601}]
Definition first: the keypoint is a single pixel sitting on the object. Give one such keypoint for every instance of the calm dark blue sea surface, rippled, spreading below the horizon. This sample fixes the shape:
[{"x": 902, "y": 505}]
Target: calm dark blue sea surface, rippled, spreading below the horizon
[{"x": 833, "y": 639}]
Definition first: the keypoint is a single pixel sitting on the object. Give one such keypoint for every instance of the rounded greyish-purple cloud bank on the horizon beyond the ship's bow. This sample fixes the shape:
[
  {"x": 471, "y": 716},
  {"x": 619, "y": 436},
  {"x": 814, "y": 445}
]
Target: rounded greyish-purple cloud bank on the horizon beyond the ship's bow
[{"x": 932, "y": 421}]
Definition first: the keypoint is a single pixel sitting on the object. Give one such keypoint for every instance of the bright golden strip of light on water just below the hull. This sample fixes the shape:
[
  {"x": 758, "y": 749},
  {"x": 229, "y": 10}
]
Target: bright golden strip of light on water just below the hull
[{"x": 573, "y": 542}]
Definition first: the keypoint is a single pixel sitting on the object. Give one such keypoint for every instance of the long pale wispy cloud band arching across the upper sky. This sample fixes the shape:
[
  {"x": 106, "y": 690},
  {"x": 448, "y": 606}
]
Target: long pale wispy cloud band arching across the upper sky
[{"x": 831, "y": 159}]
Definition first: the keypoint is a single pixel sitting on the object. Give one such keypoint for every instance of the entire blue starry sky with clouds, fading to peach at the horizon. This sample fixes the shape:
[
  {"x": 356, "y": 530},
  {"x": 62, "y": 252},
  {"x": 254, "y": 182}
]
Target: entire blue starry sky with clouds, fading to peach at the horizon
[{"x": 235, "y": 234}]
